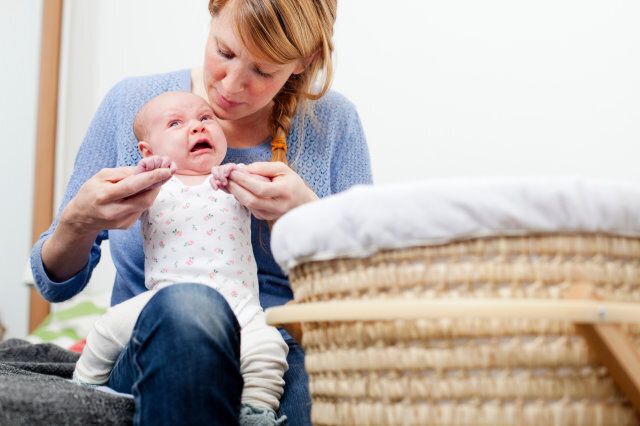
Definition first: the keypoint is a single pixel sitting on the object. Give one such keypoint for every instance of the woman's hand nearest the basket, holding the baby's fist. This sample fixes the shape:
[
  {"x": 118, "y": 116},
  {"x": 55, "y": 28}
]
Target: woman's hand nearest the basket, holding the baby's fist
[{"x": 269, "y": 199}]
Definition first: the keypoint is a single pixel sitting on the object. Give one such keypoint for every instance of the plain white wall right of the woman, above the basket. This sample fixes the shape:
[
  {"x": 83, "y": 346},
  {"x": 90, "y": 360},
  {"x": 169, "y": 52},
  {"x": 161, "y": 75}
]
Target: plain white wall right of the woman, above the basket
[{"x": 494, "y": 87}]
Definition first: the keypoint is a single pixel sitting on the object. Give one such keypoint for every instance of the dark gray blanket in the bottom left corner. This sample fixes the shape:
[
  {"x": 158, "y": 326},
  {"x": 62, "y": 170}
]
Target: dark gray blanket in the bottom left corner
[{"x": 34, "y": 390}]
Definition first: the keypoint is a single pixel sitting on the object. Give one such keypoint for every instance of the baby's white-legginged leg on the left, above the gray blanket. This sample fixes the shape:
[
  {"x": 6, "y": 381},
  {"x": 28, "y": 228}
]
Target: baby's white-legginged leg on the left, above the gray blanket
[{"x": 107, "y": 339}]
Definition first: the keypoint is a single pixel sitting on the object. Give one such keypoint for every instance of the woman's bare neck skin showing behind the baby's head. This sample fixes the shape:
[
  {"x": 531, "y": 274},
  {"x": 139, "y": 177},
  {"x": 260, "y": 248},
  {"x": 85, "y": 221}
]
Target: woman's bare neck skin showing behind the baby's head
[{"x": 246, "y": 132}]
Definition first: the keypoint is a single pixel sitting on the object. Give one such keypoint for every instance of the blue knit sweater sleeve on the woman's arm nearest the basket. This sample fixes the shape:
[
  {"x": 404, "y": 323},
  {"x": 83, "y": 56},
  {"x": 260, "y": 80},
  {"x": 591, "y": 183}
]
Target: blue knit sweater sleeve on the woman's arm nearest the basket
[{"x": 350, "y": 163}]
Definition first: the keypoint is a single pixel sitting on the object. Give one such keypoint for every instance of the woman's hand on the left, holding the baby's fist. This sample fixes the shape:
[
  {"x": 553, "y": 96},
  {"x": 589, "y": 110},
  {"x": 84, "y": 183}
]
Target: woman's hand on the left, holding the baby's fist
[{"x": 114, "y": 198}]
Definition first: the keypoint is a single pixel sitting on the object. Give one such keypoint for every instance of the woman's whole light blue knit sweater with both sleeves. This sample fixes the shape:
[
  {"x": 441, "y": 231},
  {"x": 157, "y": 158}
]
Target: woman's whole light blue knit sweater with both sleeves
[{"x": 331, "y": 156}]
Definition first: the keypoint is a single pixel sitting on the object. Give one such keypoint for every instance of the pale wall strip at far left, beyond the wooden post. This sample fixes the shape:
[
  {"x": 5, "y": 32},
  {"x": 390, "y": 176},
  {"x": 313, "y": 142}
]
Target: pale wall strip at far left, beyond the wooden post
[{"x": 20, "y": 23}]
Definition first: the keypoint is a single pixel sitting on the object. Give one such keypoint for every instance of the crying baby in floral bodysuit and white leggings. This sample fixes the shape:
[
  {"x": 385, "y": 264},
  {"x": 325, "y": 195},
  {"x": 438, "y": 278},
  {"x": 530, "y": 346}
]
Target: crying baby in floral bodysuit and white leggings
[{"x": 194, "y": 234}]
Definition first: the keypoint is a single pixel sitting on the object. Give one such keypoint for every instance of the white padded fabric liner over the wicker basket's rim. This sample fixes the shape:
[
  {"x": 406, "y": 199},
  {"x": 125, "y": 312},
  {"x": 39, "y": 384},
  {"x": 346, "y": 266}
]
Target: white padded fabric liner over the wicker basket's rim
[{"x": 367, "y": 219}]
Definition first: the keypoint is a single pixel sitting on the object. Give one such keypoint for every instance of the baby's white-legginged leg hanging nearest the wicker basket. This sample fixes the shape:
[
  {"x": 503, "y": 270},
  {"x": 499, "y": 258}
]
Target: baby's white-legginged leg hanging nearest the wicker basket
[{"x": 263, "y": 362}]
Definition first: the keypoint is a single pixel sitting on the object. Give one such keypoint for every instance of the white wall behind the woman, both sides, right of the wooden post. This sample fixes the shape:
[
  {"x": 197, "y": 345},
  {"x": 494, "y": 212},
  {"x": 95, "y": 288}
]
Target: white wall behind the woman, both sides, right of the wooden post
[{"x": 445, "y": 88}]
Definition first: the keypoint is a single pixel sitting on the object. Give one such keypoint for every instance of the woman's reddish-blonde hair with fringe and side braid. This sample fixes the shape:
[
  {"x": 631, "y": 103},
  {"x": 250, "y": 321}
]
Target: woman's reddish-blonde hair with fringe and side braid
[{"x": 284, "y": 31}]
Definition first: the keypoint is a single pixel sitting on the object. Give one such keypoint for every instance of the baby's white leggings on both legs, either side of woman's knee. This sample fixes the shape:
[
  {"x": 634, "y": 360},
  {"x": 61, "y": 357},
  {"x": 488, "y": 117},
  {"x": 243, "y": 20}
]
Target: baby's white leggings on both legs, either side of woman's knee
[{"x": 263, "y": 352}]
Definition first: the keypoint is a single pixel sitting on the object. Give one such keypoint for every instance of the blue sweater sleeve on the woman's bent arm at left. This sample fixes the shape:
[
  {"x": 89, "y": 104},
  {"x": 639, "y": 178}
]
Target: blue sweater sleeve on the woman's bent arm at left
[{"x": 97, "y": 151}]
